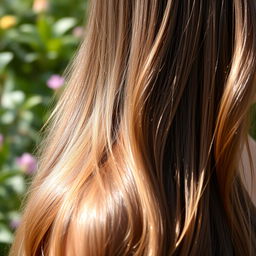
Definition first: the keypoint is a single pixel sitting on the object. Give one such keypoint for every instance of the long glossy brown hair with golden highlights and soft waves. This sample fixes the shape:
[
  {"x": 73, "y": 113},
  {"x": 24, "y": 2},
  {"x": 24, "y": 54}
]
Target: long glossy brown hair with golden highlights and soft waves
[{"x": 141, "y": 153}]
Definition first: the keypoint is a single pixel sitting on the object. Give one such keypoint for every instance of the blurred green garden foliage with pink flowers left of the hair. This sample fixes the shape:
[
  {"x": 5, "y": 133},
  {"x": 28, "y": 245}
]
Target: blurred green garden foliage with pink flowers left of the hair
[{"x": 37, "y": 40}]
